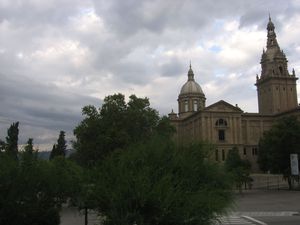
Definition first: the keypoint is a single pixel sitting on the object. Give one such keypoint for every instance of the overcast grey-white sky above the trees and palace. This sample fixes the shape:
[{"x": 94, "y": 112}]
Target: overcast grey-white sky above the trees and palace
[{"x": 57, "y": 56}]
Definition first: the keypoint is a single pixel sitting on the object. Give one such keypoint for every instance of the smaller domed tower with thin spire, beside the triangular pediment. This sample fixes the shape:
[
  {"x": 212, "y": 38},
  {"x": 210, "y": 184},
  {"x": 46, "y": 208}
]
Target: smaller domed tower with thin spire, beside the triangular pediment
[{"x": 191, "y": 98}]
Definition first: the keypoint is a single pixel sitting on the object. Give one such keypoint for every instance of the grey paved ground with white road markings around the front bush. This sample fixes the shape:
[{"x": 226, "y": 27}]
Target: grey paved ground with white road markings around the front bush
[{"x": 255, "y": 207}]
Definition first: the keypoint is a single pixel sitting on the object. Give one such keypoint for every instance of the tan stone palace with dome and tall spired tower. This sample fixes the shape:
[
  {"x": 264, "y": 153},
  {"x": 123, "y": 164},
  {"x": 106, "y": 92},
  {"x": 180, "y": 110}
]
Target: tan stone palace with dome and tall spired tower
[{"x": 226, "y": 125}]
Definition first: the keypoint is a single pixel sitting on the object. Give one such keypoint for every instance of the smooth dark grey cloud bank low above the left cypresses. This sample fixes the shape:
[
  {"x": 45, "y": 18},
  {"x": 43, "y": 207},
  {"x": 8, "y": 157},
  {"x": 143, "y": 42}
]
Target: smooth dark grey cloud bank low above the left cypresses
[{"x": 39, "y": 106}]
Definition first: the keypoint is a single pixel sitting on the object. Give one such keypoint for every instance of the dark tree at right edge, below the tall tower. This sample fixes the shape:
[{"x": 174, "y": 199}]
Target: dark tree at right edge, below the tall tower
[{"x": 277, "y": 144}]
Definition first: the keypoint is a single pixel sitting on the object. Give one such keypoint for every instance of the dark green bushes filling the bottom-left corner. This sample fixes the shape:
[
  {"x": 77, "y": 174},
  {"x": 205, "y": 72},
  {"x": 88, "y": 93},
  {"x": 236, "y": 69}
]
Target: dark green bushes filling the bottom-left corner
[{"x": 32, "y": 191}]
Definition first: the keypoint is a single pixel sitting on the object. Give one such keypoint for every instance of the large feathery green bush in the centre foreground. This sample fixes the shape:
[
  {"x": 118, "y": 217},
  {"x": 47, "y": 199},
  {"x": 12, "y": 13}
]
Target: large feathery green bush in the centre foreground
[{"x": 157, "y": 183}]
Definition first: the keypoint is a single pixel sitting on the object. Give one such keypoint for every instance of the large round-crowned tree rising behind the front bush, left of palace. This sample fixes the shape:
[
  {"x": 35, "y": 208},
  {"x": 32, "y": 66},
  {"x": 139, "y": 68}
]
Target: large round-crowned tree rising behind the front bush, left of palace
[{"x": 115, "y": 125}]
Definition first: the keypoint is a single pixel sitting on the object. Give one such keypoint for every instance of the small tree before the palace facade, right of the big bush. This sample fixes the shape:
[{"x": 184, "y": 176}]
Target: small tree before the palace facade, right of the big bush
[{"x": 239, "y": 169}]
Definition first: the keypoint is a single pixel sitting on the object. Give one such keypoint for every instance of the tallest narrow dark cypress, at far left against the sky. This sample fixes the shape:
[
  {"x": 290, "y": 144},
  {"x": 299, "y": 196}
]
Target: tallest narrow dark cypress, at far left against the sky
[{"x": 11, "y": 146}]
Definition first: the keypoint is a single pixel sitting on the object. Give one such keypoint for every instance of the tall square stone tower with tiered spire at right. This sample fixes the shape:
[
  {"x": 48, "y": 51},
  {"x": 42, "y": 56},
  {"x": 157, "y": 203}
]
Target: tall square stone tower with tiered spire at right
[{"x": 276, "y": 88}]
